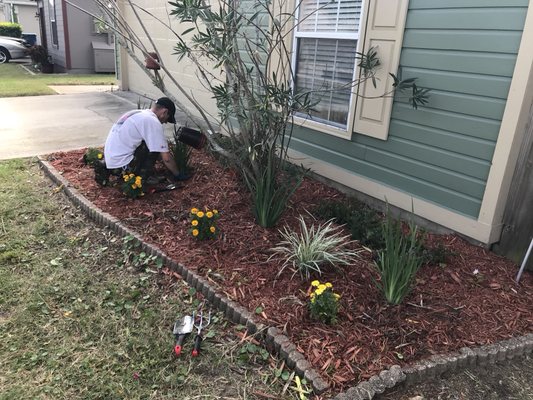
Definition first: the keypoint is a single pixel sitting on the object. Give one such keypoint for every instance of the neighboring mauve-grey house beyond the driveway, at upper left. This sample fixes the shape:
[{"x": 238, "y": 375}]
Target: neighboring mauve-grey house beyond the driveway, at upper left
[{"x": 73, "y": 39}]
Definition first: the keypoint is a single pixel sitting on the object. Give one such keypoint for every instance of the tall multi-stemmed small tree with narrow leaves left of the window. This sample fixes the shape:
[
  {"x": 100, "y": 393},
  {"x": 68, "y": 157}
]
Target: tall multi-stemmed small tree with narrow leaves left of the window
[{"x": 254, "y": 90}]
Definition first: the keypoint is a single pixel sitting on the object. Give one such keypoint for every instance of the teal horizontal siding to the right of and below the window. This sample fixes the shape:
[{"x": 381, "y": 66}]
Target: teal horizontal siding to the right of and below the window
[{"x": 465, "y": 51}]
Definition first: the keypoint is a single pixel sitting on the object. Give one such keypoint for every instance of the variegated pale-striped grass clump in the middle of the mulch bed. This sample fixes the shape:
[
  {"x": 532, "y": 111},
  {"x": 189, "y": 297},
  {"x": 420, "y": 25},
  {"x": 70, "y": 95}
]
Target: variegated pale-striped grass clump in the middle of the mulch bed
[{"x": 313, "y": 248}]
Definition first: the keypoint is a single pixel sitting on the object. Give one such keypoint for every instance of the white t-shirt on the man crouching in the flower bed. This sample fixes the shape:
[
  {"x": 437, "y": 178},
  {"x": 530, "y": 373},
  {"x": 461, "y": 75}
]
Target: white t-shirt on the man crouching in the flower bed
[{"x": 128, "y": 133}]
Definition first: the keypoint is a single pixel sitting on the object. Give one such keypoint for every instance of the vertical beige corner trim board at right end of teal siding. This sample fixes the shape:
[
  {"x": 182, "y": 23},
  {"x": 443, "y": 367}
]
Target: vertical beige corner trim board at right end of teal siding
[{"x": 511, "y": 132}]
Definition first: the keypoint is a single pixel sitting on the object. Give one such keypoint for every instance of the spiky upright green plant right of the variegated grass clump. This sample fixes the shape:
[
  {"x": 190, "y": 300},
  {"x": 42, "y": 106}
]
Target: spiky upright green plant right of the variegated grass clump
[{"x": 399, "y": 261}]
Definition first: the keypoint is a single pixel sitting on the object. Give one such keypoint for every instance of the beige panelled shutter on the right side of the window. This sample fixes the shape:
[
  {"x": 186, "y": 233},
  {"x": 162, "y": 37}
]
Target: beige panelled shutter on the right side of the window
[{"x": 384, "y": 31}]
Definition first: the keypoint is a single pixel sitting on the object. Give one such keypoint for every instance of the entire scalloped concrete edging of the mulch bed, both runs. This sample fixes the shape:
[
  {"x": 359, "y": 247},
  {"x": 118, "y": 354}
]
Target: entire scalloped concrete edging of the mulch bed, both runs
[{"x": 277, "y": 343}]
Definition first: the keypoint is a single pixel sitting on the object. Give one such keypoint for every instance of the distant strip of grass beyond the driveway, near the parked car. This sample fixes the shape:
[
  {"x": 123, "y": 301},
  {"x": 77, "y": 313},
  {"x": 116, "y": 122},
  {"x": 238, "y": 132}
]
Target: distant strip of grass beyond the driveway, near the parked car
[{"x": 16, "y": 81}]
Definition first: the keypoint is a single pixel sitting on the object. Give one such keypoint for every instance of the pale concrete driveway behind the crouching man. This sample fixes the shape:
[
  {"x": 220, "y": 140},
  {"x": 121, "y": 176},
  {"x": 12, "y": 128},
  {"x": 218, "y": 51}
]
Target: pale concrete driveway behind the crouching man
[{"x": 37, "y": 125}]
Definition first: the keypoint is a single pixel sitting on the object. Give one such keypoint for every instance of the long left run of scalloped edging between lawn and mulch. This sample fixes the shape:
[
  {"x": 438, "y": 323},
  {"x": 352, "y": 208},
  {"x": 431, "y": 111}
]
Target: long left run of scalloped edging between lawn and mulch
[{"x": 274, "y": 340}]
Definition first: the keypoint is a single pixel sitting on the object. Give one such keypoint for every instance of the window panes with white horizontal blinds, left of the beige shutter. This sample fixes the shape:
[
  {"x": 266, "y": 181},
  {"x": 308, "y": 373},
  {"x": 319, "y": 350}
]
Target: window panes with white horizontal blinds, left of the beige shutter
[{"x": 324, "y": 56}]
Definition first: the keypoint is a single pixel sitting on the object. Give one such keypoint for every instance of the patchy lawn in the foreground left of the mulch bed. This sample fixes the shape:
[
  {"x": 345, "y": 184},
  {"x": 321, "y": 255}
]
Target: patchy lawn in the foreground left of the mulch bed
[{"x": 83, "y": 316}]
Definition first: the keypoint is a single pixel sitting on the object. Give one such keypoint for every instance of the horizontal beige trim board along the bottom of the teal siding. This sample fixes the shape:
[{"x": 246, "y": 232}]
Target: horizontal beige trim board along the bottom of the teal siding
[{"x": 457, "y": 222}]
